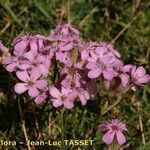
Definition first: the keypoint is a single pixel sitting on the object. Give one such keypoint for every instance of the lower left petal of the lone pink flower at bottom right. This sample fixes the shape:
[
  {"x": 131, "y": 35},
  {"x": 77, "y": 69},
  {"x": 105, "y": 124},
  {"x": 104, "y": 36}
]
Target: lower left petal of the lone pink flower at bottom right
[{"x": 108, "y": 137}]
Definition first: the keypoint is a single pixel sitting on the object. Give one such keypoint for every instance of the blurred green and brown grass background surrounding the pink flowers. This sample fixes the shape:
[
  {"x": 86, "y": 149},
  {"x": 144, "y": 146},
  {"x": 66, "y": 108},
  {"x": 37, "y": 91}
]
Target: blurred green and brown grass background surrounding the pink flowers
[{"x": 124, "y": 23}]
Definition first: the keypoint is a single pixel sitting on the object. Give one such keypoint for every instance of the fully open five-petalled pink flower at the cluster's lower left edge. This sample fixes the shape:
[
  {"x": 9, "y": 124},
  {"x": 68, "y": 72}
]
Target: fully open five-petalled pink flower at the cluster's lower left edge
[{"x": 30, "y": 83}]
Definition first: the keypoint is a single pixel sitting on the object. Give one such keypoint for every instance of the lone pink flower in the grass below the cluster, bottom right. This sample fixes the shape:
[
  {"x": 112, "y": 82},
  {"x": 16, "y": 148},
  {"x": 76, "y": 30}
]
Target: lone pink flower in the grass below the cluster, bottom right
[{"x": 113, "y": 129}]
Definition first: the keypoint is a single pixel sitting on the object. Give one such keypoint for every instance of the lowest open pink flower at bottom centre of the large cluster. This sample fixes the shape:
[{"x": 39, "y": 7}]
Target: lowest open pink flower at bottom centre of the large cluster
[{"x": 64, "y": 97}]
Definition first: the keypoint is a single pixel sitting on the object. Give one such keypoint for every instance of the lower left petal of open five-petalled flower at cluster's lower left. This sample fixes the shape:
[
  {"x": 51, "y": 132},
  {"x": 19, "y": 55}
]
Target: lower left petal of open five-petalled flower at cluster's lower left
[{"x": 20, "y": 88}]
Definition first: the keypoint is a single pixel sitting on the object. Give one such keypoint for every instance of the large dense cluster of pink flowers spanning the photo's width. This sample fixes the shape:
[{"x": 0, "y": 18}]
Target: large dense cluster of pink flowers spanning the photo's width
[{"x": 73, "y": 65}]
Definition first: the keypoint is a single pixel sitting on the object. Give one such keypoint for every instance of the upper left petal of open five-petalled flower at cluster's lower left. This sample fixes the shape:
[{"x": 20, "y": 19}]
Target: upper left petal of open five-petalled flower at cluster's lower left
[{"x": 23, "y": 76}]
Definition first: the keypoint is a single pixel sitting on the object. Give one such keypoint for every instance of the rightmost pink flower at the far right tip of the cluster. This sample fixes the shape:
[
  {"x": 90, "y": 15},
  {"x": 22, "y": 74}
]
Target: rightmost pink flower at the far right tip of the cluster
[{"x": 139, "y": 76}]
